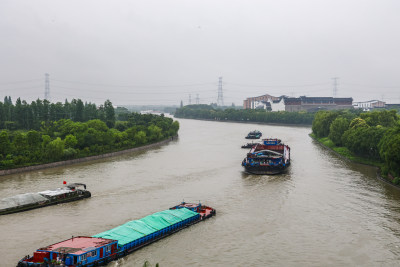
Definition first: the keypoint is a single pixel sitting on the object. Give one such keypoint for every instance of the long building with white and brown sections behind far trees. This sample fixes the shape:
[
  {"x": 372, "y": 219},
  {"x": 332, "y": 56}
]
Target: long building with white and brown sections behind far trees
[{"x": 303, "y": 103}]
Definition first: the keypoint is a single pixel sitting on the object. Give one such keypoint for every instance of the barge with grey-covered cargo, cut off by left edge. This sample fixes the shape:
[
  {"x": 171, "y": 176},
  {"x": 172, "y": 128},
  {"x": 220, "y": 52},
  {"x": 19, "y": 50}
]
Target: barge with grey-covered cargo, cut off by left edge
[{"x": 28, "y": 201}]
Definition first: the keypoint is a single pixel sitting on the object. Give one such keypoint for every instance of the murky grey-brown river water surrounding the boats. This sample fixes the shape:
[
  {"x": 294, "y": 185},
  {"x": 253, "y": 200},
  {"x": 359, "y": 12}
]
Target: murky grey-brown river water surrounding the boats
[{"x": 323, "y": 212}]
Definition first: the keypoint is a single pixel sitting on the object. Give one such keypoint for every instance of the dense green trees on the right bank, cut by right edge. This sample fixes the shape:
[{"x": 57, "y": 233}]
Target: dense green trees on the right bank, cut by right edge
[{"x": 373, "y": 135}]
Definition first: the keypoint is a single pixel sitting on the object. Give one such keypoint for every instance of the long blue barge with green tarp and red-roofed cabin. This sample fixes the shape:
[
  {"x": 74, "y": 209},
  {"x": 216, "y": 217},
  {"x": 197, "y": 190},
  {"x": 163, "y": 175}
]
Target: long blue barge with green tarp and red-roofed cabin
[{"x": 100, "y": 249}]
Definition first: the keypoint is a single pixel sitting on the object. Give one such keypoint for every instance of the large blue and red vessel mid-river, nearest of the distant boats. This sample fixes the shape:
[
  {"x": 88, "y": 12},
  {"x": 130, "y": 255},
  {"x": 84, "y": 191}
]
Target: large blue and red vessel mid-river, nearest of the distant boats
[{"x": 269, "y": 157}]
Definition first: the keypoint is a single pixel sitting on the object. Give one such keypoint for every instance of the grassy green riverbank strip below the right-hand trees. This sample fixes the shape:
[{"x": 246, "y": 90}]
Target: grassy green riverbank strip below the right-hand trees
[{"x": 345, "y": 154}]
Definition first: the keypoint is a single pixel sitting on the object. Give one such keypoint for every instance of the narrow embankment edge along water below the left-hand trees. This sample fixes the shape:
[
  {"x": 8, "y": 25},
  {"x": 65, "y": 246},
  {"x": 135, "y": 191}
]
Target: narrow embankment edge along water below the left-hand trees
[{"x": 85, "y": 159}]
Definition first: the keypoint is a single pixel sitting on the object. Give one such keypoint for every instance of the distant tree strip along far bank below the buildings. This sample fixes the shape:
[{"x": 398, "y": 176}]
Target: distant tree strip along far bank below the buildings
[{"x": 250, "y": 115}]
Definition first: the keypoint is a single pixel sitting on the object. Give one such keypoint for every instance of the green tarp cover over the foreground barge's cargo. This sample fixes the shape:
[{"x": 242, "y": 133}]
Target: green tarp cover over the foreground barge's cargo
[{"x": 136, "y": 229}]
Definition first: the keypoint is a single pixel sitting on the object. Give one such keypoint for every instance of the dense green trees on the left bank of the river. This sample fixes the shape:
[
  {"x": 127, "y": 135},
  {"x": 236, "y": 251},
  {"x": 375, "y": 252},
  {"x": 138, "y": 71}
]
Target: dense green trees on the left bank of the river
[{"x": 66, "y": 138}]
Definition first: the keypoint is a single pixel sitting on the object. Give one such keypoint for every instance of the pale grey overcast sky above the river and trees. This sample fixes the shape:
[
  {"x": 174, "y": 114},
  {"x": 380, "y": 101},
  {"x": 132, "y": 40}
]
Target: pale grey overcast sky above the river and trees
[{"x": 160, "y": 51}]
